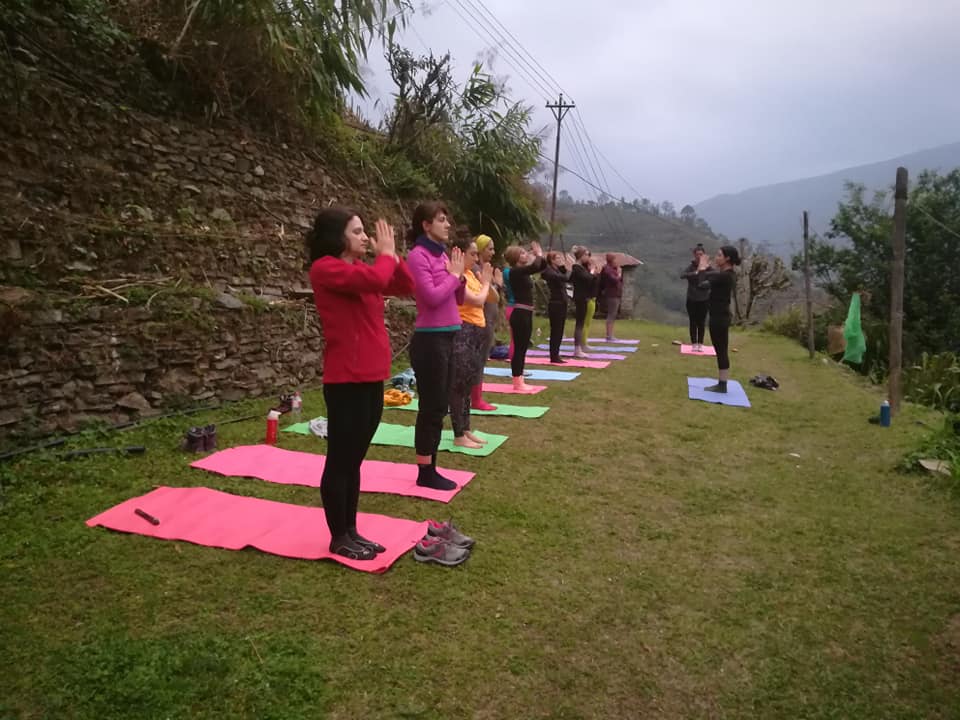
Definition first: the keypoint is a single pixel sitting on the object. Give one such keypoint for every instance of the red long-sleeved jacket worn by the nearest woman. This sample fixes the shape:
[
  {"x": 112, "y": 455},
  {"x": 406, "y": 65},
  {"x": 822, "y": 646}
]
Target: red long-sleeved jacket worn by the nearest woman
[{"x": 349, "y": 299}]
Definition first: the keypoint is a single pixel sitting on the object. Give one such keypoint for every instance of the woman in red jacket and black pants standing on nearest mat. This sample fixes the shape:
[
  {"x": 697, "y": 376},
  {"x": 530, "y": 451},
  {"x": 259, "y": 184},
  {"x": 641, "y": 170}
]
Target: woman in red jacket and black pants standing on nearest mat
[{"x": 356, "y": 358}]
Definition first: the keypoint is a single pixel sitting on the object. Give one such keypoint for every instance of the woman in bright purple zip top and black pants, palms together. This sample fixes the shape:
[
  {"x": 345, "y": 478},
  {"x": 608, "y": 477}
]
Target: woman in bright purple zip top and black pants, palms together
[{"x": 440, "y": 288}]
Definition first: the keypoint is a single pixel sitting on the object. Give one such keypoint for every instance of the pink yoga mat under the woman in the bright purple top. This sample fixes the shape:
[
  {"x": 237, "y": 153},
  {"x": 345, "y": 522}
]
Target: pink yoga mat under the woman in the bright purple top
[{"x": 289, "y": 467}]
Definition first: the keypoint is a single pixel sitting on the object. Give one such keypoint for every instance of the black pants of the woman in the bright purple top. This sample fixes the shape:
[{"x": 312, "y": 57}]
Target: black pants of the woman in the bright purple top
[{"x": 431, "y": 357}]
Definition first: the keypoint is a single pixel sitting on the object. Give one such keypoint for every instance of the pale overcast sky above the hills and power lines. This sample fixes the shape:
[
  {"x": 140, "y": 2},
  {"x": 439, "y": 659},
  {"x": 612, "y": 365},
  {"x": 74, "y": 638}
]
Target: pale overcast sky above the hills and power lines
[{"x": 691, "y": 98}]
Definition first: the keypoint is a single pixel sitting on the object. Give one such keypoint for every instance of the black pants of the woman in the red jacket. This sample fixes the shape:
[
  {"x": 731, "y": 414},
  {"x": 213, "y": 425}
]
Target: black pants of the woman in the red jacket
[{"x": 353, "y": 413}]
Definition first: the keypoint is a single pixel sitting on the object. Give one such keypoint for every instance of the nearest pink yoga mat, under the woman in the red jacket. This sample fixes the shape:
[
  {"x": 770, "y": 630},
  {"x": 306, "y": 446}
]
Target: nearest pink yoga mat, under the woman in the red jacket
[{"x": 217, "y": 519}]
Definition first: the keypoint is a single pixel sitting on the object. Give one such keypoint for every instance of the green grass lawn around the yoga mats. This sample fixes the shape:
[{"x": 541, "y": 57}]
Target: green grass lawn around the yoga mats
[{"x": 638, "y": 555}]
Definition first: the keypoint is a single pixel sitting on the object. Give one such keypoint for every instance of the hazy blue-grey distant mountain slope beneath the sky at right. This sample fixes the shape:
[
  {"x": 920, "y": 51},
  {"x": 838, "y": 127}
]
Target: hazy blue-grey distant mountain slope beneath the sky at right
[{"x": 770, "y": 215}]
